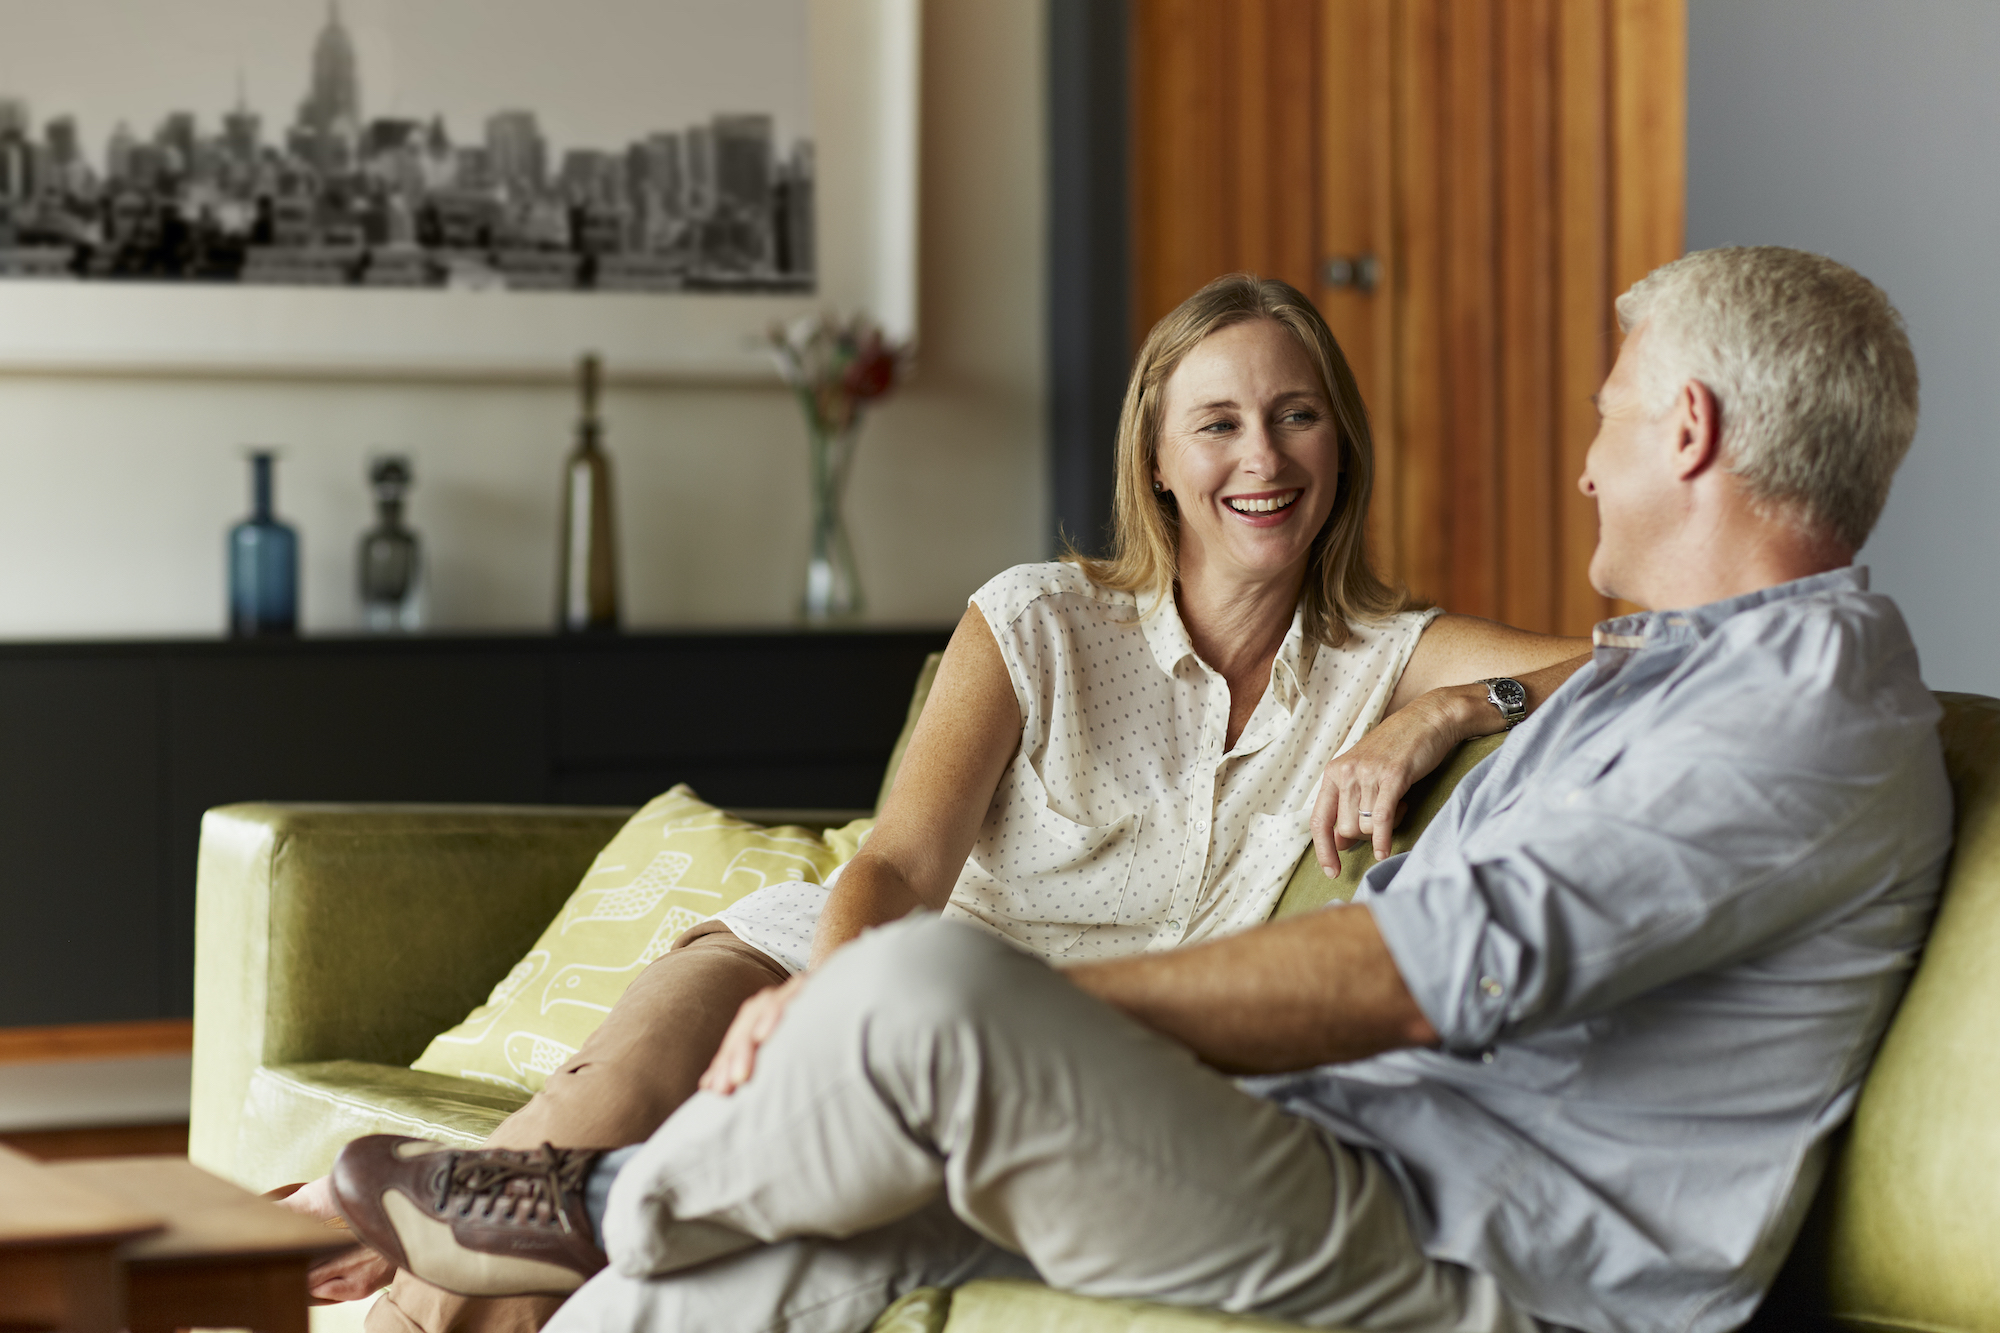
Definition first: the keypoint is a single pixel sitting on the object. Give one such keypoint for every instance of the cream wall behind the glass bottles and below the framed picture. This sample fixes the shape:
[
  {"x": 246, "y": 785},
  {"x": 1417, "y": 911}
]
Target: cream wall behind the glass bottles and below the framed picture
[{"x": 115, "y": 495}]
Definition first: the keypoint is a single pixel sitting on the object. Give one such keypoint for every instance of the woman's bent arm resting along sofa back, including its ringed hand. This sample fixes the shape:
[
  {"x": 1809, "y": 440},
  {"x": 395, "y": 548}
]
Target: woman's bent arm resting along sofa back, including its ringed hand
[{"x": 1439, "y": 702}]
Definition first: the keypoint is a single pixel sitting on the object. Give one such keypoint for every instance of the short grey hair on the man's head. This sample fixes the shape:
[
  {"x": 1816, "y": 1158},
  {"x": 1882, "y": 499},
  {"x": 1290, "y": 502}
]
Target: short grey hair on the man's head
[{"x": 1811, "y": 369}]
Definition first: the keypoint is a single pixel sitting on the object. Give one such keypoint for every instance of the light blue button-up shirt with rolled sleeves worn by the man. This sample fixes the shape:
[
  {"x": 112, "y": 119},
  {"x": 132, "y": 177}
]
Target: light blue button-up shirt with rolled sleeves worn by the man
[{"x": 1659, "y": 934}]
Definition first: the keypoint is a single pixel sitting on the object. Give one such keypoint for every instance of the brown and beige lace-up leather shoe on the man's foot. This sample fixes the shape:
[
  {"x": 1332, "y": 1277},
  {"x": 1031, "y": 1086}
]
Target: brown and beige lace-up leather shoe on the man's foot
[{"x": 477, "y": 1222}]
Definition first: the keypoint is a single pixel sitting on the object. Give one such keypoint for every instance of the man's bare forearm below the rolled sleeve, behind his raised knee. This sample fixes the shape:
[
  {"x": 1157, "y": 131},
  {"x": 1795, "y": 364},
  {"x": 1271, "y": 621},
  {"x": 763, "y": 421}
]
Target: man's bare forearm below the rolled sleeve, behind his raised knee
[{"x": 1315, "y": 990}]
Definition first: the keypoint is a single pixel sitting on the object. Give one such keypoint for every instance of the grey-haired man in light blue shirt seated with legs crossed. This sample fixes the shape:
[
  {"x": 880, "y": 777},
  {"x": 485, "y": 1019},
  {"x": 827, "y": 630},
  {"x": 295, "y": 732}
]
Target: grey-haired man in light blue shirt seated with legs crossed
[{"x": 1573, "y": 1062}]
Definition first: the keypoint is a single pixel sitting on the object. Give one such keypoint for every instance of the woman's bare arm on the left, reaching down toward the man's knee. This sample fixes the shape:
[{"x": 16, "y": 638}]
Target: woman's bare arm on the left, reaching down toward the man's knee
[{"x": 963, "y": 746}]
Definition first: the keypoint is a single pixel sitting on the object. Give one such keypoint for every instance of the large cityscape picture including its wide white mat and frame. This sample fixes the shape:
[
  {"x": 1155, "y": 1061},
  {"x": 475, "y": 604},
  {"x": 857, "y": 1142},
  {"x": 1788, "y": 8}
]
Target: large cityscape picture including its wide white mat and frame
[{"x": 447, "y": 189}]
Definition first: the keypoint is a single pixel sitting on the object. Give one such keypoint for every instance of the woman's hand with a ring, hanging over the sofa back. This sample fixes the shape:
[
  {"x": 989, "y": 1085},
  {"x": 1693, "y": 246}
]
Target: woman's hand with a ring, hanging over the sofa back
[{"x": 1361, "y": 794}]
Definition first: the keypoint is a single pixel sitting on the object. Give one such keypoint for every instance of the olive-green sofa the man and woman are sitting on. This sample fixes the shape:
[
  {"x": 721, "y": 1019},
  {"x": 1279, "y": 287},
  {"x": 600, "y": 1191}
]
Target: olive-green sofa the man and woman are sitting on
[{"x": 335, "y": 942}]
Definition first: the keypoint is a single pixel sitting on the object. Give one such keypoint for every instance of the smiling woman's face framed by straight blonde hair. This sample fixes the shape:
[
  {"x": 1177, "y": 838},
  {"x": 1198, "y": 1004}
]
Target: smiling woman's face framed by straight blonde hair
[{"x": 1251, "y": 453}]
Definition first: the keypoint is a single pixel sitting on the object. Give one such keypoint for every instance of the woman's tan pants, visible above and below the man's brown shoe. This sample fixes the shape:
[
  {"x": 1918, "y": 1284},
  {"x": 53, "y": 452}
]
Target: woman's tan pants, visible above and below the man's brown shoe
[{"x": 625, "y": 1082}]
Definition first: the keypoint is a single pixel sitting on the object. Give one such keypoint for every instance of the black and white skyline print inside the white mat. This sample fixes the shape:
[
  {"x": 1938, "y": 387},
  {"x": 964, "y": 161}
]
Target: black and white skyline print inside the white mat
[{"x": 525, "y": 145}]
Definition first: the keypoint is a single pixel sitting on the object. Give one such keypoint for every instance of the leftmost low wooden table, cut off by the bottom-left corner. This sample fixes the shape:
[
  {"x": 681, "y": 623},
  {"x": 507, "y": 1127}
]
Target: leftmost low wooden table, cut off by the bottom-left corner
[{"x": 59, "y": 1250}]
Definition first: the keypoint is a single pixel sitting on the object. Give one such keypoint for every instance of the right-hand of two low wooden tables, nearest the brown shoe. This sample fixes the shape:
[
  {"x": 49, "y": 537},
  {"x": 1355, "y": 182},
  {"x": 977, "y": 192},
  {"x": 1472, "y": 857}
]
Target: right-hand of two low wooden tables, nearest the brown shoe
[{"x": 225, "y": 1260}]
